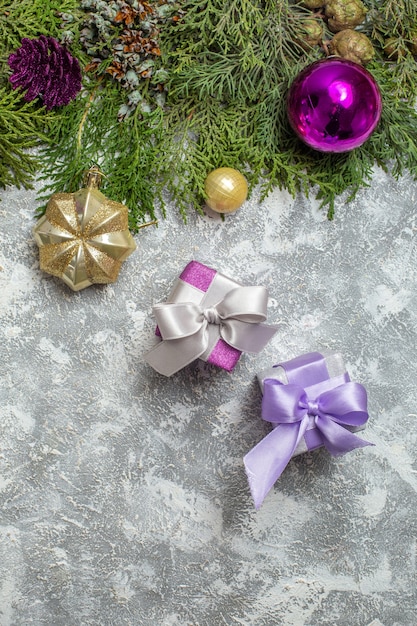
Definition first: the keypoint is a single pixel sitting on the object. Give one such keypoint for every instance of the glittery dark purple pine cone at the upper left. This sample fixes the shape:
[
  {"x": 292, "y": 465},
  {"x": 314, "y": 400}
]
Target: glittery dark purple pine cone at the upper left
[{"x": 46, "y": 69}]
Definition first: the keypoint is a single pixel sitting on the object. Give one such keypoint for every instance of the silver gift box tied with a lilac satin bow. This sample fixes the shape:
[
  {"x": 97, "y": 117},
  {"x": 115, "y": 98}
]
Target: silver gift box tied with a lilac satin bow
[{"x": 311, "y": 402}]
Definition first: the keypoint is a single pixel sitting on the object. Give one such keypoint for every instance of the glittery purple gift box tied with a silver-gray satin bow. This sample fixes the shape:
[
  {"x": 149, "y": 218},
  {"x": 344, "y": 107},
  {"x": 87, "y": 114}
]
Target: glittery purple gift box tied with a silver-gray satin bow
[{"x": 211, "y": 317}]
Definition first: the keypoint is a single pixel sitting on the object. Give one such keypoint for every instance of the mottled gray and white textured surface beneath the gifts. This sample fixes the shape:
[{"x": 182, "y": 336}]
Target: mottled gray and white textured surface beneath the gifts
[{"x": 123, "y": 497}]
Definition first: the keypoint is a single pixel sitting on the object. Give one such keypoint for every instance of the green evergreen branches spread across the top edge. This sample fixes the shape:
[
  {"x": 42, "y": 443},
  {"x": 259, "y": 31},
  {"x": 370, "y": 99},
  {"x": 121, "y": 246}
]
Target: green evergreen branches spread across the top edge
[{"x": 230, "y": 65}]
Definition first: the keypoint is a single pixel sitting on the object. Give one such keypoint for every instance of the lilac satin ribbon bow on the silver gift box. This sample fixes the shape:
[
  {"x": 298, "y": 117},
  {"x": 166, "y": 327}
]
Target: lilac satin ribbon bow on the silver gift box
[{"x": 290, "y": 408}]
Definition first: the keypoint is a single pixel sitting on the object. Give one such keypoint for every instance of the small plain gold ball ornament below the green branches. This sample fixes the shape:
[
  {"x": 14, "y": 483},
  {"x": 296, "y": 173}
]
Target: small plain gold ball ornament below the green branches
[{"x": 226, "y": 190}]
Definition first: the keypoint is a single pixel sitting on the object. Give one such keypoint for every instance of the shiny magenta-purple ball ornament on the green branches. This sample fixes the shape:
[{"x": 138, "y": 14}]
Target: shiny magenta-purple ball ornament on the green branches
[{"x": 334, "y": 105}]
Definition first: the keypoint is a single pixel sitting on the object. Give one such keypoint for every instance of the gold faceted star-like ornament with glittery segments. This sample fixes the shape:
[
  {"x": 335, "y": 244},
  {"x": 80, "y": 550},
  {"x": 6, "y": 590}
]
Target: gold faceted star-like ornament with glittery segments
[{"x": 83, "y": 237}]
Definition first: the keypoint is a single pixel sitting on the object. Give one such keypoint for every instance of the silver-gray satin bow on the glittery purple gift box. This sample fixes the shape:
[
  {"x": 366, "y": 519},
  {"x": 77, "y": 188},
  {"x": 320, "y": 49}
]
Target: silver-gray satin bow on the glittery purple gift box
[{"x": 189, "y": 330}]
